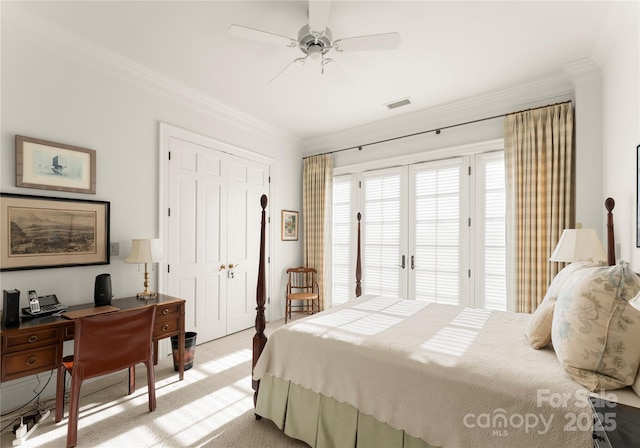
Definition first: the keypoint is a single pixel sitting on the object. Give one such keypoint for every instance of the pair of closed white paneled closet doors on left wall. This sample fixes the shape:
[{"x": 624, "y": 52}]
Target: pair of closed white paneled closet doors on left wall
[{"x": 213, "y": 230}]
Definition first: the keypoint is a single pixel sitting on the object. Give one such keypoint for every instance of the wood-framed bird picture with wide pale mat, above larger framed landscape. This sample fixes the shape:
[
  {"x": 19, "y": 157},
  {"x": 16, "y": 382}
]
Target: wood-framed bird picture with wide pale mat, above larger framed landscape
[{"x": 46, "y": 165}]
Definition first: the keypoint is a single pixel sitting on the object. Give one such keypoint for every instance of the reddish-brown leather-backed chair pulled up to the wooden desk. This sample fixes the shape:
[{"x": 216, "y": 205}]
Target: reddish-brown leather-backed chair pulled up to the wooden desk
[{"x": 104, "y": 344}]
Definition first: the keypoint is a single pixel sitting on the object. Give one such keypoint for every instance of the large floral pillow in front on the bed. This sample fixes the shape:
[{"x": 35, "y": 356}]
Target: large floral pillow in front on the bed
[{"x": 595, "y": 332}]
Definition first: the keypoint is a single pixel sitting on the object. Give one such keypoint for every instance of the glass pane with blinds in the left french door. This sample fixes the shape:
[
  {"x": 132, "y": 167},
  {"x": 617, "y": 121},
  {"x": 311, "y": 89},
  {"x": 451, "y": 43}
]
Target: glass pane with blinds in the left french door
[{"x": 381, "y": 234}]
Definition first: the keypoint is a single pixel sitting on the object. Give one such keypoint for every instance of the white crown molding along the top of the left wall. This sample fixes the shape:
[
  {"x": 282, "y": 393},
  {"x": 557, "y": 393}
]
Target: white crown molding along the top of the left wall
[{"x": 45, "y": 34}]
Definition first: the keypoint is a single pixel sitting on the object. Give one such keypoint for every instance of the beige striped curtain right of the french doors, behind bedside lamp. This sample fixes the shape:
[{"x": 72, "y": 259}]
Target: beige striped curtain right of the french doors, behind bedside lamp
[{"x": 538, "y": 147}]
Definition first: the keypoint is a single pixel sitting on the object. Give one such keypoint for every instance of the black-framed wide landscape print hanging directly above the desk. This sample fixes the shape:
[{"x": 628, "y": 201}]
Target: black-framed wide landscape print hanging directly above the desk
[{"x": 46, "y": 232}]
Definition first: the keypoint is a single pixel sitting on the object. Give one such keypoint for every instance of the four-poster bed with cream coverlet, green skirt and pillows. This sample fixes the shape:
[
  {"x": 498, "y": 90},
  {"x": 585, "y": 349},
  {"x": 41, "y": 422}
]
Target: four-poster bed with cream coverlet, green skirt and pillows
[{"x": 405, "y": 373}]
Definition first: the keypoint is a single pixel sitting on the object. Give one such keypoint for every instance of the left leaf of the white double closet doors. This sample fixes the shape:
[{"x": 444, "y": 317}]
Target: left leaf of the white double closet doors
[{"x": 197, "y": 236}]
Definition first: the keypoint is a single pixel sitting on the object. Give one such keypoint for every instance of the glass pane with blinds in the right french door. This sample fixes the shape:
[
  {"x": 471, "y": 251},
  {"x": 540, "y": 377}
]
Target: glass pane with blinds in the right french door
[{"x": 437, "y": 232}]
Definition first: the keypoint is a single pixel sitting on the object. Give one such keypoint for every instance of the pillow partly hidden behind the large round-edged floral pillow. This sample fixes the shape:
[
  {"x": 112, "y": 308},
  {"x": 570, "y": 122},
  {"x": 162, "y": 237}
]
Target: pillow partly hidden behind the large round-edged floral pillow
[{"x": 538, "y": 330}]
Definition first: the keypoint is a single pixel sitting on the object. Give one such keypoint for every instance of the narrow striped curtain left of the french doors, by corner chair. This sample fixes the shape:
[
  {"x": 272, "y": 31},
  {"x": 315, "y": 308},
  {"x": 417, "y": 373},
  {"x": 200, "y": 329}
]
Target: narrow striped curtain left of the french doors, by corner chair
[{"x": 317, "y": 191}]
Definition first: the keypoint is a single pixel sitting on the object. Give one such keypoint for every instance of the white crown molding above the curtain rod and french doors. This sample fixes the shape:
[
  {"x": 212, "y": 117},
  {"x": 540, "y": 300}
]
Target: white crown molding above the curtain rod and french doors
[{"x": 554, "y": 88}]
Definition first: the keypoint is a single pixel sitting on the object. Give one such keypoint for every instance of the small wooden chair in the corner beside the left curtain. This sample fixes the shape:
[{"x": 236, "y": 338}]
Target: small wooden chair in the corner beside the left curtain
[{"x": 302, "y": 286}]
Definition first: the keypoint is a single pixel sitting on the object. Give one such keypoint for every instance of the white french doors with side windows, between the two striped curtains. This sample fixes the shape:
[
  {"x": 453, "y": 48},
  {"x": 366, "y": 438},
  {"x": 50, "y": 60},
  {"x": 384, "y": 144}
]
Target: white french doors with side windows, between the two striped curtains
[{"x": 431, "y": 231}]
